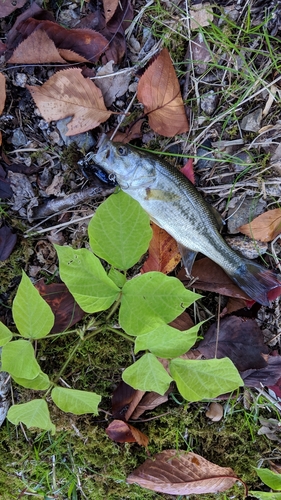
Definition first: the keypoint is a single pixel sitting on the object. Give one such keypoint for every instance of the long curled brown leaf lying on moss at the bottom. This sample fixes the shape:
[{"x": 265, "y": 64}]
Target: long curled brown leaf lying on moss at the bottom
[{"x": 176, "y": 472}]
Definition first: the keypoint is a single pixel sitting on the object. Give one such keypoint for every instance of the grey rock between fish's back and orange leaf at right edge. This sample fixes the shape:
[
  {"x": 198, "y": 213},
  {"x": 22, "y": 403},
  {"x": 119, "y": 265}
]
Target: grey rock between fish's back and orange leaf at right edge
[{"x": 247, "y": 211}]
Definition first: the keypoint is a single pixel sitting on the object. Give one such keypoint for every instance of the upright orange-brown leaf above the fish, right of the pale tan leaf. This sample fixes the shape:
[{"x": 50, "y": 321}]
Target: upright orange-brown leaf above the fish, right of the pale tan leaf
[{"x": 159, "y": 92}]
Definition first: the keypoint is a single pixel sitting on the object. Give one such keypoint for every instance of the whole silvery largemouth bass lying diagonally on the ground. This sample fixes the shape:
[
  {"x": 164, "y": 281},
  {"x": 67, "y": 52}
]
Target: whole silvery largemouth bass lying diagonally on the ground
[{"x": 175, "y": 205}]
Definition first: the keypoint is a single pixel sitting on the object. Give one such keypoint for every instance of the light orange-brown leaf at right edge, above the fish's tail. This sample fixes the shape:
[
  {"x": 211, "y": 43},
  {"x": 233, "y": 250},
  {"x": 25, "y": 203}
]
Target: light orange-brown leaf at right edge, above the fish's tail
[{"x": 265, "y": 227}]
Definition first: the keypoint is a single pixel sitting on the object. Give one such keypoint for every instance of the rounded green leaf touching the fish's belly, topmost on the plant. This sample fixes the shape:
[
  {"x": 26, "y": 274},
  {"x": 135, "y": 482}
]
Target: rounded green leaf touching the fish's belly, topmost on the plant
[{"x": 120, "y": 231}]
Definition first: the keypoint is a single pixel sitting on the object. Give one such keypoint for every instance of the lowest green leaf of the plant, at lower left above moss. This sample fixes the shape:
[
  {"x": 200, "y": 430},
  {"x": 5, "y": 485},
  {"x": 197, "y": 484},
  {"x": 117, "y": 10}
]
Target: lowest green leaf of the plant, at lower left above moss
[{"x": 33, "y": 414}]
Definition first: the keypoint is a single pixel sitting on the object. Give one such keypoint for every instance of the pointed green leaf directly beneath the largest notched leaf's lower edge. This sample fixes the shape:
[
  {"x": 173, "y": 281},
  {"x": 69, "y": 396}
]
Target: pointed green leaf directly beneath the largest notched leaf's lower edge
[{"x": 166, "y": 341}]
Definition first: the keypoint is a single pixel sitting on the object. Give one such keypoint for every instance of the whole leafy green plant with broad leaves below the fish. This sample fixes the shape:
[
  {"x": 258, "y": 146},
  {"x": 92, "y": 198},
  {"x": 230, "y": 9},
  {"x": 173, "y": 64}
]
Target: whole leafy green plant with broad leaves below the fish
[{"x": 119, "y": 233}]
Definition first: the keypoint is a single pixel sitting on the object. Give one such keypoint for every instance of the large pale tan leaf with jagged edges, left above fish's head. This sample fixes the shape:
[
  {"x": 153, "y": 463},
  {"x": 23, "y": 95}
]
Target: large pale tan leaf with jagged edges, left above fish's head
[{"x": 68, "y": 93}]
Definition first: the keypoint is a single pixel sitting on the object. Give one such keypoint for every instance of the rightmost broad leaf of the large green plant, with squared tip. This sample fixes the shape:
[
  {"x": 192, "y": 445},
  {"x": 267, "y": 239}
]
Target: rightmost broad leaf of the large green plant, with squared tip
[{"x": 204, "y": 379}]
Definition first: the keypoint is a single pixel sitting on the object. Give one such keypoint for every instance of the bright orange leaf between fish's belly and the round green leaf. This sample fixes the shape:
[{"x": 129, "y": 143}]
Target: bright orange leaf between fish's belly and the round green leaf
[{"x": 163, "y": 253}]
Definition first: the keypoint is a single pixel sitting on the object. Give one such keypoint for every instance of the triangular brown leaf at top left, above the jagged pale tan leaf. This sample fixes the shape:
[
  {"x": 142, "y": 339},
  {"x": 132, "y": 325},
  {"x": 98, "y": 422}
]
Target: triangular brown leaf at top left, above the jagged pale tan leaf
[{"x": 38, "y": 48}]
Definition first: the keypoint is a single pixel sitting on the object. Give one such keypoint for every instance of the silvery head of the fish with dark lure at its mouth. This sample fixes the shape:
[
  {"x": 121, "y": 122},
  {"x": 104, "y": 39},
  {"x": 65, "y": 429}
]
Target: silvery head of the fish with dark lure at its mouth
[{"x": 129, "y": 167}]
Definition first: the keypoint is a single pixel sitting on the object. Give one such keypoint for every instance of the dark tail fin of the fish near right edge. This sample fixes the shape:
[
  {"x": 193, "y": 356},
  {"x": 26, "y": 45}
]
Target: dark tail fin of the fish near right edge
[{"x": 259, "y": 283}]
